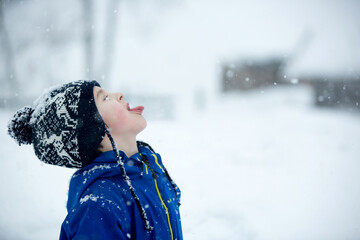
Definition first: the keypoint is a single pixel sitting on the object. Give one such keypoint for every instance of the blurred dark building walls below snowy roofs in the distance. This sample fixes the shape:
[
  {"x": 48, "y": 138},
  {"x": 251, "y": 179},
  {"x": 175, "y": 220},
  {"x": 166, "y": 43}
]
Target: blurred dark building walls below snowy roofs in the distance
[{"x": 342, "y": 91}]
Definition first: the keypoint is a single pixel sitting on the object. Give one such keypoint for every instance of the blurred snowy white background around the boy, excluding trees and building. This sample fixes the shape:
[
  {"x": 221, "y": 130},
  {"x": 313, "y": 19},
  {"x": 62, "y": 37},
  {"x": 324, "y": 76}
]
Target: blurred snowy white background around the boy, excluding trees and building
[{"x": 264, "y": 164}]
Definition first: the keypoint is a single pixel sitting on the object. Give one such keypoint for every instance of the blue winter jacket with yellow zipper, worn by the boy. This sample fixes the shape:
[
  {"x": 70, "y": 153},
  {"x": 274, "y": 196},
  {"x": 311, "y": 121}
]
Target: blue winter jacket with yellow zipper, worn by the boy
[{"x": 100, "y": 205}]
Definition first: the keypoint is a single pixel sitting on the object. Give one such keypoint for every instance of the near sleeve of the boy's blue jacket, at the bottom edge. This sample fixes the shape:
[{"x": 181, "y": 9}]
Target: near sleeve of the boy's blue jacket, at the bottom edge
[{"x": 94, "y": 220}]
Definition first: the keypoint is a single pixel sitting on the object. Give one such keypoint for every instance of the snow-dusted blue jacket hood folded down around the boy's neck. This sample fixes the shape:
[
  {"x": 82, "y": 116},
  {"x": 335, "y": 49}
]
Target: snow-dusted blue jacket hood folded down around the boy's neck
[{"x": 104, "y": 166}]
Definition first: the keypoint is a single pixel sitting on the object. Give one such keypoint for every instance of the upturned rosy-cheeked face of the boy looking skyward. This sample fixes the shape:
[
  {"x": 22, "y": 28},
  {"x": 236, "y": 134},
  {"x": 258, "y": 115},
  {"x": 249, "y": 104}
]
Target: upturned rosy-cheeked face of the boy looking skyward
[{"x": 116, "y": 115}]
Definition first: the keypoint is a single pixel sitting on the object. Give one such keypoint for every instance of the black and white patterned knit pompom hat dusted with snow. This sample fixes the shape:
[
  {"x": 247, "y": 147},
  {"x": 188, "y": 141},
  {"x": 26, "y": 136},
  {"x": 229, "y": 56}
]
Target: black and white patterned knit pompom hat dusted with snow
[{"x": 64, "y": 126}]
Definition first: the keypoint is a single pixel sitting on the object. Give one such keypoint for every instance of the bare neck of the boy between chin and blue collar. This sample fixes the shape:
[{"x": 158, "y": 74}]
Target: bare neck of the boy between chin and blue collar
[{"x": 126, "y": 144}]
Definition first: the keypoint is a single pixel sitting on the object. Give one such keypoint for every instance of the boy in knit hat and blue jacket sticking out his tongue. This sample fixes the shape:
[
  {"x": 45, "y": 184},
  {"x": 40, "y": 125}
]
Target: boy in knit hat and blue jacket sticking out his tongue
[{"x": 122, "y": 190}]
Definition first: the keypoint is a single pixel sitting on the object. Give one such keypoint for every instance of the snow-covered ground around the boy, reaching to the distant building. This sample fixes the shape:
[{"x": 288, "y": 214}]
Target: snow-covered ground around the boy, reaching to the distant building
[{"x": 253, "y": 166}]
